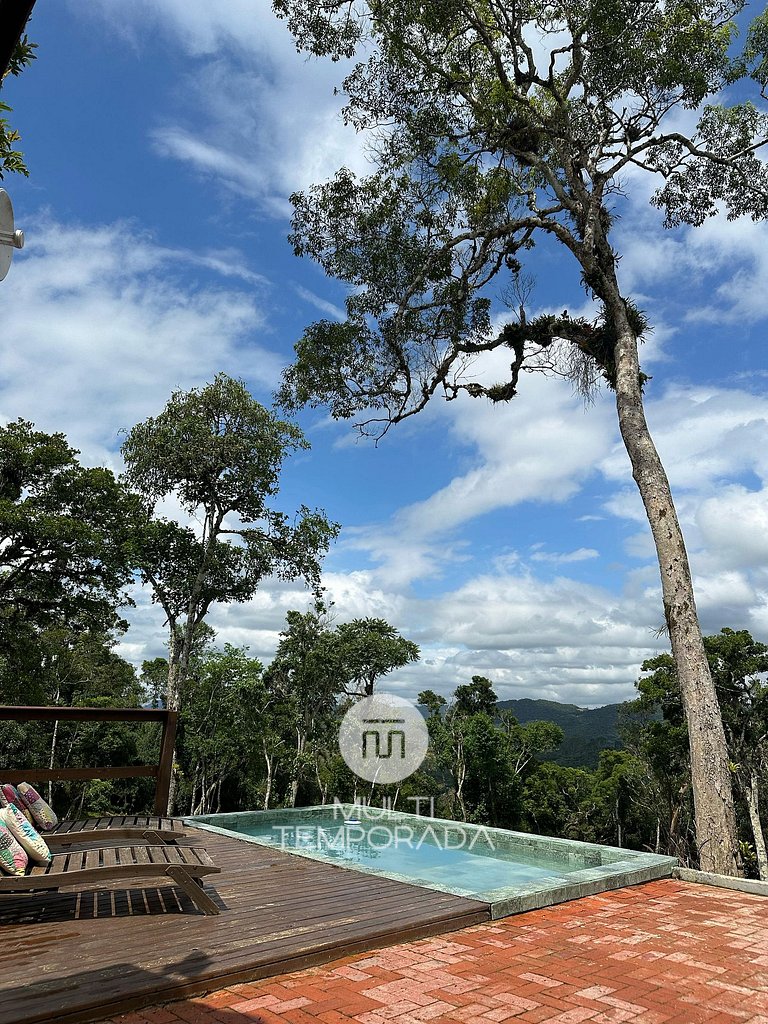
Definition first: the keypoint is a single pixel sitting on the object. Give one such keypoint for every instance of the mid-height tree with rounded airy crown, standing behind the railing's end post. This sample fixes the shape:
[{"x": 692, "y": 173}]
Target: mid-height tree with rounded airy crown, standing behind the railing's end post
[{"x": 220, "y": 454}]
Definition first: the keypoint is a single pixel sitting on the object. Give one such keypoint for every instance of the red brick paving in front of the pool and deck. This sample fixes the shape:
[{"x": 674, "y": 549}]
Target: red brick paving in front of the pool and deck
[{"x": 667, "y": 953}]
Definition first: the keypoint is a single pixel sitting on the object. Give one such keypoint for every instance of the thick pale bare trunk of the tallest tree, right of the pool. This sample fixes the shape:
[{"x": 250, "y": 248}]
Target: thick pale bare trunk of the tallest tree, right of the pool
[{"x": 713, "y": 796}]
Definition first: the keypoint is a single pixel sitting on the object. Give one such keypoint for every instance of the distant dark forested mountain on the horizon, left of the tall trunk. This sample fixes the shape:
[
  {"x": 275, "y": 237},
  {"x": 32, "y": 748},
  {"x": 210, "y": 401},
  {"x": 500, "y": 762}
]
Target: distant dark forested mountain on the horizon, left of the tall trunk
[{"x": 587, "y": 731}]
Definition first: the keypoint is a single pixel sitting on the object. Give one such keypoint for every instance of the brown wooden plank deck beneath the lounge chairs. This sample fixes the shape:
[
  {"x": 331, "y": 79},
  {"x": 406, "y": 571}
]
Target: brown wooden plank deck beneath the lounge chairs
[{"x": 83, "y": 956}]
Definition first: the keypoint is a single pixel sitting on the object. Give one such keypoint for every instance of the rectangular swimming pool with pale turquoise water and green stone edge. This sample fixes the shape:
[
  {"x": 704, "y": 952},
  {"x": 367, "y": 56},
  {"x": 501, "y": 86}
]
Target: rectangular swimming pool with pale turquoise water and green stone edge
[{"x": 513, "y": 872}]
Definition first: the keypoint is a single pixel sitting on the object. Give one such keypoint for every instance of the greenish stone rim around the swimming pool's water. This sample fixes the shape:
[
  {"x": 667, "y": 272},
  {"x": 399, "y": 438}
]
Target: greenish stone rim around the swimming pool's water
[{"x": 618, "y": 868}]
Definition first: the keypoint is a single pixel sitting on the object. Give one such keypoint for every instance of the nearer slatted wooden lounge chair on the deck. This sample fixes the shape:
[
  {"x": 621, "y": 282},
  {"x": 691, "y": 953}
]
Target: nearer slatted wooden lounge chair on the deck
[{"x": 184, "y": 866}]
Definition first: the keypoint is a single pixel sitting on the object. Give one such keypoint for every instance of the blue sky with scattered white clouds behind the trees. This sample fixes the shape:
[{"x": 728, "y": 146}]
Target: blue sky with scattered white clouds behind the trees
[{"x": 163, "y": 140}]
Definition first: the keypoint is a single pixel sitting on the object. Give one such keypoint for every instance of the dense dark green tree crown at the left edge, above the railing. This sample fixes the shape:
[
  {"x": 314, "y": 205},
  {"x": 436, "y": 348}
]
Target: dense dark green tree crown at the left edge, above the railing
[{"x": 65, "y": 558}]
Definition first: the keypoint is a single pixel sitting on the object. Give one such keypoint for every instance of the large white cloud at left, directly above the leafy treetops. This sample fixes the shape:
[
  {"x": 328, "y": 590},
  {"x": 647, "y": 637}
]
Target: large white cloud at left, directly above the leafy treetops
[{"x": 101, "y": 329}]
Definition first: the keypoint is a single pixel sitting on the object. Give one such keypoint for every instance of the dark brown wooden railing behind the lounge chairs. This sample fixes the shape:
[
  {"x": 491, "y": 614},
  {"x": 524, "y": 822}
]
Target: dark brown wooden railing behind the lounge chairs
[{"x": 161, "y": 773}]
